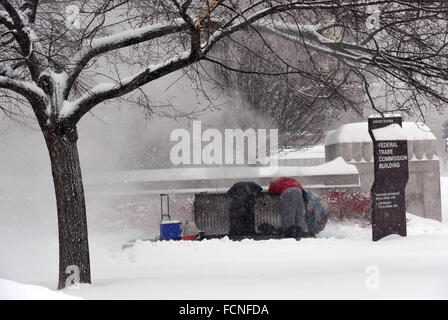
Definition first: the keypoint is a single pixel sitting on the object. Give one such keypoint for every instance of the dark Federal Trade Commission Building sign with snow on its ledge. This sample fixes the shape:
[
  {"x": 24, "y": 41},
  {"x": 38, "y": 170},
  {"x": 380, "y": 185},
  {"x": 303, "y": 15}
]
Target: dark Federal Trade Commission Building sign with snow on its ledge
[{"x": 390, "y": 154}]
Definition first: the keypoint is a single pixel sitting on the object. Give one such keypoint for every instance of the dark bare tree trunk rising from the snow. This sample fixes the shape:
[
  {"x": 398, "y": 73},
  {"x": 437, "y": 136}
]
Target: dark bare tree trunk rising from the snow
[{"x": 72, "y": 220}]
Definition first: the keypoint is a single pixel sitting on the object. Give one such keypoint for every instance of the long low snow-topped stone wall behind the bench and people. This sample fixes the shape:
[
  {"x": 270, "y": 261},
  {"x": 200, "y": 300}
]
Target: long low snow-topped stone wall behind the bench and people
[{"x": 333, "y": 174}]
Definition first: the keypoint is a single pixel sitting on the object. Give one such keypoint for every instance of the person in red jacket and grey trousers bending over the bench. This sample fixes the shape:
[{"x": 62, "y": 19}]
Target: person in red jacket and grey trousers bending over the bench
[{"x": 292, "y": 206}]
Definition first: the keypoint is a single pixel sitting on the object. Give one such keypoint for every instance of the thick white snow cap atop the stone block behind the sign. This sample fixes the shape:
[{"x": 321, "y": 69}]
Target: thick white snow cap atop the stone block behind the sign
[{"x": 358, "y": 133}]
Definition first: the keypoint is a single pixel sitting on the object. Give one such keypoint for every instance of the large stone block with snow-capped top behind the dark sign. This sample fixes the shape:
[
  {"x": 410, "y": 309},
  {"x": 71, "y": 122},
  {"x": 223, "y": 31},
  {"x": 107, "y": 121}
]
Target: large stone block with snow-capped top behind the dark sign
[{"x": 353, "y": 143}]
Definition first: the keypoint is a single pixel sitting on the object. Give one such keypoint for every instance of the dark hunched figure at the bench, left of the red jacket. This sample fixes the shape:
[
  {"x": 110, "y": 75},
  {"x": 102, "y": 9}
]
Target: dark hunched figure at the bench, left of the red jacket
[{"x": 242, "y": 208}]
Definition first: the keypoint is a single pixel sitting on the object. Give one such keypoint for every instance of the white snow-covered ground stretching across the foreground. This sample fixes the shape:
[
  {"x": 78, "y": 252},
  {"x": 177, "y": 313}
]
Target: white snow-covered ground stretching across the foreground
[{"x": 341, "y": 263}]
